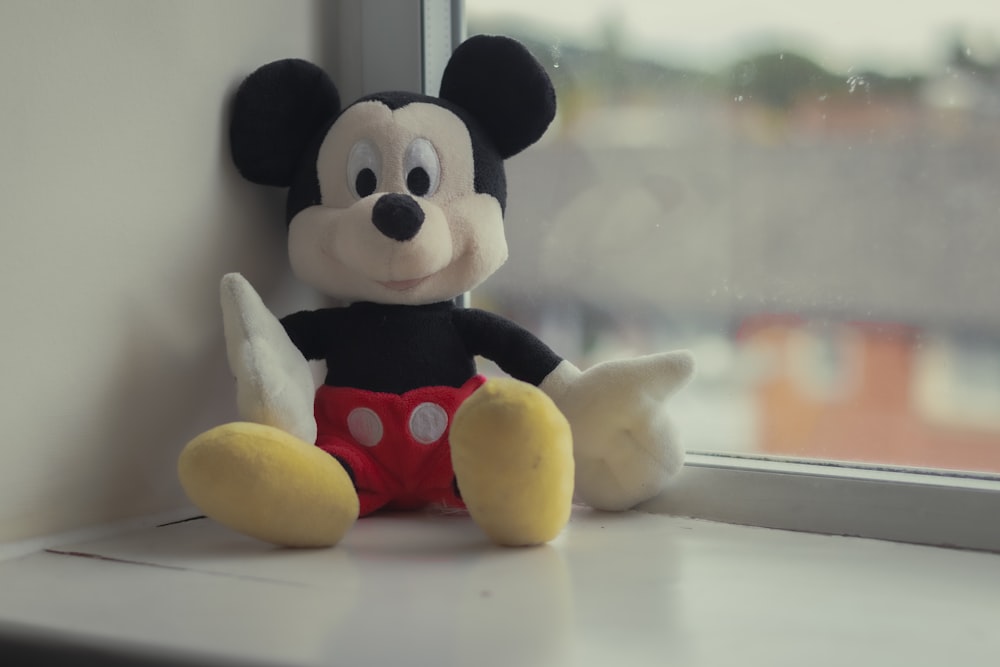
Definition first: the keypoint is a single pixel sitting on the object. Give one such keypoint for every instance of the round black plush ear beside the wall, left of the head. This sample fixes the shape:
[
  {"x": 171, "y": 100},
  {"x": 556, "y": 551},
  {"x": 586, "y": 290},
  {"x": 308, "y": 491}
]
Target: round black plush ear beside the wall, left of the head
[{"x": 277, "y": 110}]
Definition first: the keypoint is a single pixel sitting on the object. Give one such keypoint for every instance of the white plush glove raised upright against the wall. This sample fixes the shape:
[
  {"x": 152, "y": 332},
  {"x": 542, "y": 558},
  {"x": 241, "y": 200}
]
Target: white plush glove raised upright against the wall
[{"x": 274, "y": 385}]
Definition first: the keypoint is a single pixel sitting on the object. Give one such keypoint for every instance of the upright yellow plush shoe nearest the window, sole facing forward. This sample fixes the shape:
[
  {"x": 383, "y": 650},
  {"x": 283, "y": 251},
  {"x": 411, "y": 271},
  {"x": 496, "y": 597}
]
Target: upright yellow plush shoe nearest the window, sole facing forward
[{"x": 513, "y": 457}]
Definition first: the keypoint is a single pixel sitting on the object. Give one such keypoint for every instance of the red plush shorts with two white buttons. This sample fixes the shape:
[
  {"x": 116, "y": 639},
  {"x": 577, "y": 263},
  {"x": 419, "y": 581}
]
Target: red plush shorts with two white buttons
[{"x": 395, "y": 446}]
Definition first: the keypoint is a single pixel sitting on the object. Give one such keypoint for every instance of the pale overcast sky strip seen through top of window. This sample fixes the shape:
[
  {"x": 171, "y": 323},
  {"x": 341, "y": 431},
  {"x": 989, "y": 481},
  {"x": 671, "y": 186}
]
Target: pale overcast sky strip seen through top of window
[{"x": 893, "y": 35}]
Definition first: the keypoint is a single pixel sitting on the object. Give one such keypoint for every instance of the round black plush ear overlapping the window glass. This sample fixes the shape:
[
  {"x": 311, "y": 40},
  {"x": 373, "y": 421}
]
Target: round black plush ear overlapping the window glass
[{"x": 505, "y": 89}]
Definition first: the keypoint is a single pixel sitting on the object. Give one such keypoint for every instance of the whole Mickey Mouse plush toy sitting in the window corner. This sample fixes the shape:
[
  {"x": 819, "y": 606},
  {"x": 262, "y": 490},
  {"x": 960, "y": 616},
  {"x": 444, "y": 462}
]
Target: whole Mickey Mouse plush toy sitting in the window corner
[{"x": 395, "y": 208}]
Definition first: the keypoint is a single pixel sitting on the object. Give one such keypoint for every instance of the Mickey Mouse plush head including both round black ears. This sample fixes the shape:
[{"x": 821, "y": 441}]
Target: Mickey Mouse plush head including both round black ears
[{"x": 398, "y": 198}]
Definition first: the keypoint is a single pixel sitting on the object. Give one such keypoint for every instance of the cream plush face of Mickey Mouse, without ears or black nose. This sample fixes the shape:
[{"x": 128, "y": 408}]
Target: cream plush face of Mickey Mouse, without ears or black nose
[{"x": 368, "y": 153}]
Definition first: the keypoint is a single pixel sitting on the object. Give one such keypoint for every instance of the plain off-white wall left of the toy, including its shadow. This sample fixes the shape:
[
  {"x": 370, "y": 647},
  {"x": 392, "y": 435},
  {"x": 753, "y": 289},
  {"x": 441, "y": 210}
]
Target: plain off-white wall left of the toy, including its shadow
[{"x": 119, "y": 213}]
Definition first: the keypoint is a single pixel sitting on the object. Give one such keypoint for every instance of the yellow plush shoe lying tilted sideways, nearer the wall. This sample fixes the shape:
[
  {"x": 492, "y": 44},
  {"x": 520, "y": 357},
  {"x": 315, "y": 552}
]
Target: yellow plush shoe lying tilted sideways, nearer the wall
[{"x": 266, "y": 483}]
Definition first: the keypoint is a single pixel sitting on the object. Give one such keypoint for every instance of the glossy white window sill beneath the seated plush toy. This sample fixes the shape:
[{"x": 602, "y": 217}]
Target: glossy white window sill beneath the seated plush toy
[{"x": 629, "y": 589}]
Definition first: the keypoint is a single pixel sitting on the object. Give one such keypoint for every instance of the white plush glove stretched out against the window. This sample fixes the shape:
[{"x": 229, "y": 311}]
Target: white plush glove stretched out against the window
[{"x": 623, "y": 442}]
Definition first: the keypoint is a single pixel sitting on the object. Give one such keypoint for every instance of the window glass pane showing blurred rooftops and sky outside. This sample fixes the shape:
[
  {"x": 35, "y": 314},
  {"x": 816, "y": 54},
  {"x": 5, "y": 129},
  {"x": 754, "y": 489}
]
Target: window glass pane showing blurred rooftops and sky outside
[{"x": 806, "y": 195}]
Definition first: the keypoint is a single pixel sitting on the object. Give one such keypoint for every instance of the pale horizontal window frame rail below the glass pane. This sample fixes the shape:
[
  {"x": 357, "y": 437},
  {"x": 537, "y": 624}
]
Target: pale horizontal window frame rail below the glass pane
[{"x": 930, "y": 507}]
